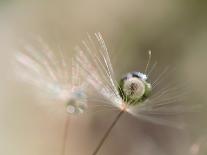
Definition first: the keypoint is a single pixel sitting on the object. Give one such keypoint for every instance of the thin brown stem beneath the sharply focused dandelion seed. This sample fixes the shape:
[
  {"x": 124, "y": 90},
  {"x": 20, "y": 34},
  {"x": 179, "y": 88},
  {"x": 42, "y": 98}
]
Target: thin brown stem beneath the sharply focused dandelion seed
[{"x": 107, "y": 133}]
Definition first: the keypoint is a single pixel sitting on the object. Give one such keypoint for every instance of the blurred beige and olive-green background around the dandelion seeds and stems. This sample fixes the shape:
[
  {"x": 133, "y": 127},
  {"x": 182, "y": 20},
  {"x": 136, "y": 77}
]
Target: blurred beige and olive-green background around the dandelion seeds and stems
[{"x": 174, "y": 30}]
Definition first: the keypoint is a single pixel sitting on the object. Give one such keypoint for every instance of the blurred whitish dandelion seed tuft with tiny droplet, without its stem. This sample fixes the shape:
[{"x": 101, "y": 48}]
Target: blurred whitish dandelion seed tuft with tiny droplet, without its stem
[{"x": 48, "y": 71}]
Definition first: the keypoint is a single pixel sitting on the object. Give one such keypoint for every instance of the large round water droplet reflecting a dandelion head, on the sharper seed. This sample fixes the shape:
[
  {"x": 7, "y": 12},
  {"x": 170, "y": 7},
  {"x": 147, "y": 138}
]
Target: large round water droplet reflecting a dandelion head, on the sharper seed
[{"x": 134, "y": 88}]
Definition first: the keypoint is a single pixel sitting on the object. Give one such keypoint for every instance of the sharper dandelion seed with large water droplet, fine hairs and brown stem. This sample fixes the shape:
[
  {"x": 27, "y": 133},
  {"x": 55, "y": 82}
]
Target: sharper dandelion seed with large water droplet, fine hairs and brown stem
[{"x": 133, "y": 94}]
